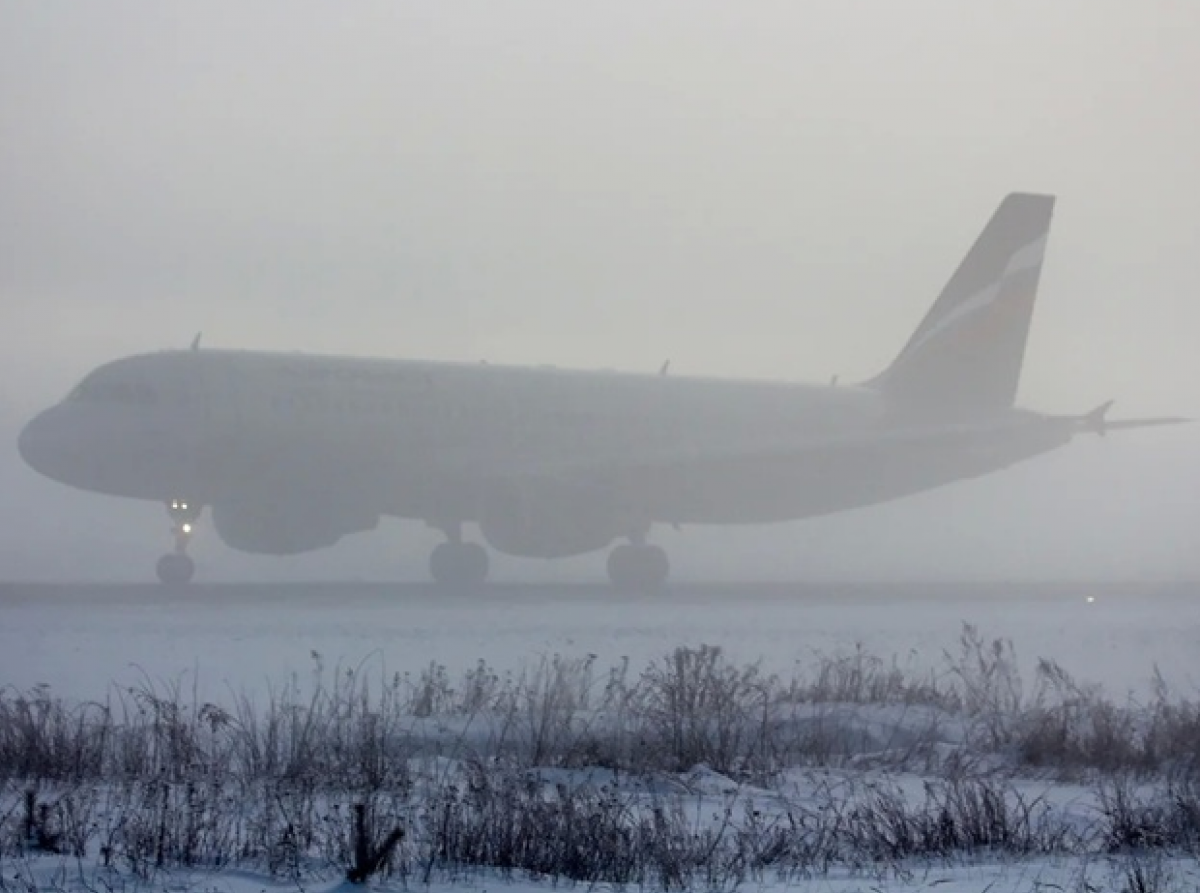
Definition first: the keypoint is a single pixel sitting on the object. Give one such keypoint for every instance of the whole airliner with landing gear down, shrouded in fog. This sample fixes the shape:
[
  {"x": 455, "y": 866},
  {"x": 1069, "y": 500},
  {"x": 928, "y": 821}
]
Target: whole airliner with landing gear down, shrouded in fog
[{"x": 293, "y": 452}]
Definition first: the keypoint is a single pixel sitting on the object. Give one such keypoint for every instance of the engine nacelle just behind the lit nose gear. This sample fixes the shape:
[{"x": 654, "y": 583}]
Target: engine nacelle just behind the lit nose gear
[{"x": 287, "y": 528}]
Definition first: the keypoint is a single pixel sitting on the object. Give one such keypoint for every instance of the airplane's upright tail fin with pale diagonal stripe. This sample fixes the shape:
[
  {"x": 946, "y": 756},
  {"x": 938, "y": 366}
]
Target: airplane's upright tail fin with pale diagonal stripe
[{"x": 967, "y": 357}]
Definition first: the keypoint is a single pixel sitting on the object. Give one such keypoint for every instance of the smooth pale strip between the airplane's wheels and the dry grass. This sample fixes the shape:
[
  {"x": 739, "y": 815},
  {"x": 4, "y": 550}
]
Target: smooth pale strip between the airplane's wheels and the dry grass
[{"x": 81, "y": 639}]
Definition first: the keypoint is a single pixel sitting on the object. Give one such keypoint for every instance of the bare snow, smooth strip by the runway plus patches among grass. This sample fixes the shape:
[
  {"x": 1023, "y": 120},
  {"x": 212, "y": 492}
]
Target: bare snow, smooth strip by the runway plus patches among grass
[{"x": 215, "y": 643}]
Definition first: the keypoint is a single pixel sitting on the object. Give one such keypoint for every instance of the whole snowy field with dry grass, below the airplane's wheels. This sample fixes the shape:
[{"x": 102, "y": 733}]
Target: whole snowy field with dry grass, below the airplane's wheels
[{"x": 917, "y": 792}]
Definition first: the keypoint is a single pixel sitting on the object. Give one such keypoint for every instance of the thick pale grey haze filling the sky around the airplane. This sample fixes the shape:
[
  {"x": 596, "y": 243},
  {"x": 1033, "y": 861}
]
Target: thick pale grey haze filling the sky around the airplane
[{"x": 776, "y": 190}]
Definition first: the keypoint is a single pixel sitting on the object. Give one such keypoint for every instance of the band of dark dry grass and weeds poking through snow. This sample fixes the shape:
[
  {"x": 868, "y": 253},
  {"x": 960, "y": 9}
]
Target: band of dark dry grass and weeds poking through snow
[{"x": 154, "y": 778}]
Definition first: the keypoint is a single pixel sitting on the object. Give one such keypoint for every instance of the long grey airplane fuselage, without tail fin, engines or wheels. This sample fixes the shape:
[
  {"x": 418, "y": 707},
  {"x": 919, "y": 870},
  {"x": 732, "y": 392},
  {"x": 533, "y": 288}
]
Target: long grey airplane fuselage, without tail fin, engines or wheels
[{"x": 430, "y": 440}]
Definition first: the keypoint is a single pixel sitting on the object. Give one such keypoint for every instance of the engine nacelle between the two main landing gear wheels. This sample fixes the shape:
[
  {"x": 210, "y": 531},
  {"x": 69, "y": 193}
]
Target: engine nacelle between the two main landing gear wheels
[{"x": 547, "y": 523}]
